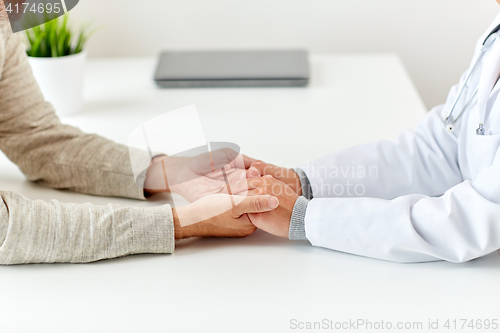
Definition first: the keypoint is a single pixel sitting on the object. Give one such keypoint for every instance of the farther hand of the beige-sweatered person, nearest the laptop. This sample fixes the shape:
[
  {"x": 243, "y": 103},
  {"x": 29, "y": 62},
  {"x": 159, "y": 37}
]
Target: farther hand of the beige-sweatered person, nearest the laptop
[{"x": 195, "y": 177}]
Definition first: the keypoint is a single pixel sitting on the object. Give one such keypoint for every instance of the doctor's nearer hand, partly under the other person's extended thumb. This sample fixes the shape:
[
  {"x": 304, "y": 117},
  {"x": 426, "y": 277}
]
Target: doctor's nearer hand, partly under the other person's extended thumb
[{"x": 276, "y": 222}]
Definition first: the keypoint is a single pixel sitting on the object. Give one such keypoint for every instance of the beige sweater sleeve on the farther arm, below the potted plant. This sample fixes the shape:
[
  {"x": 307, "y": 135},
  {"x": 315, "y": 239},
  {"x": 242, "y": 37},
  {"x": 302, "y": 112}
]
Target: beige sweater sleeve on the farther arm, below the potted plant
[{"x": 46, "y": 151}]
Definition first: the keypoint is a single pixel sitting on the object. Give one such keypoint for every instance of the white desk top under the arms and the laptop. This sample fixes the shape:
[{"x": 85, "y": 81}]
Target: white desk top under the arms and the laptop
[{"x": 260, "y": 283}]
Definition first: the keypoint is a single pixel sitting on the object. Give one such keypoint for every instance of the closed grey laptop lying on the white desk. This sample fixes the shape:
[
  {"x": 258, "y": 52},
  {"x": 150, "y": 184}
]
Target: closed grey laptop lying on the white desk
[{"x": 284, "y": 68}]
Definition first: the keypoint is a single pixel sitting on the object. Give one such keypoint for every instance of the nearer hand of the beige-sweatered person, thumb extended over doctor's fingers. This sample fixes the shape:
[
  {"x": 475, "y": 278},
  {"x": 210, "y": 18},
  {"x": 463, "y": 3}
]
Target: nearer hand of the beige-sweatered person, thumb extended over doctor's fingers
[{"x": 216, "y": 216}]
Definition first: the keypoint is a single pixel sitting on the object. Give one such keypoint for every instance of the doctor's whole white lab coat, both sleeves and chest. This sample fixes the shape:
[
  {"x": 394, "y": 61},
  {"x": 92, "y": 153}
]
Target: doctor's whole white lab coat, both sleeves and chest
[{"x": 429, "y": 195}]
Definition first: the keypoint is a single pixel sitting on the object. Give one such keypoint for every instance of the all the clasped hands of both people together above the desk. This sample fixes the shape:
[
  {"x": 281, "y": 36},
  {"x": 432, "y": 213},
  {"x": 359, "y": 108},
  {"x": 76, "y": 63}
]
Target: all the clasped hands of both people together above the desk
[{"x": 263, "y": 195}]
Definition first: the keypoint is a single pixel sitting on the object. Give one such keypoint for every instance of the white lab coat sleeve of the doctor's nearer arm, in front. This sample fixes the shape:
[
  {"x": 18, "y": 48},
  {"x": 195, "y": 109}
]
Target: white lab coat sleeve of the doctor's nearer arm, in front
[{"x": 458, "y": 226}]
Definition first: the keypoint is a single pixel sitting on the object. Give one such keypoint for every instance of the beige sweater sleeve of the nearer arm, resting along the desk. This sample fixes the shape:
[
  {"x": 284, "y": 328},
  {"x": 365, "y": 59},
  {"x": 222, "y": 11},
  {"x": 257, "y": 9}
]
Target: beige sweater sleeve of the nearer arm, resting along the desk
[{"x": 49, "y": 232}]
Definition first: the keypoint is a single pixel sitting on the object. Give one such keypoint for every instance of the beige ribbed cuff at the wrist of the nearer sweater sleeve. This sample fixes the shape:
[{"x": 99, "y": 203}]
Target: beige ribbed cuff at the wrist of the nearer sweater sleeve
[{"x": 153, "y": 230}]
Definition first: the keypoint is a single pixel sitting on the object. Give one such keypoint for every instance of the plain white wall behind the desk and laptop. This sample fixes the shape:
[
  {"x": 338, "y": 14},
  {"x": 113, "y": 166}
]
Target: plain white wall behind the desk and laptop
[{"x": 435, "y": 38}]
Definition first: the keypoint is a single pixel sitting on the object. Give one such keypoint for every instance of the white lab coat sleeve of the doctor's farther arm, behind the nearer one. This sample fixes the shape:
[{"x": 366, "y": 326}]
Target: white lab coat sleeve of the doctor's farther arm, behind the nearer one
[{"x": 423, "y": 161}]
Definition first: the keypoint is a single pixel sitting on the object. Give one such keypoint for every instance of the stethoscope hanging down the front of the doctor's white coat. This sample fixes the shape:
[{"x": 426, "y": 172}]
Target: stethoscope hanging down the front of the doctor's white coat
[{"x": 488, "y": 42}]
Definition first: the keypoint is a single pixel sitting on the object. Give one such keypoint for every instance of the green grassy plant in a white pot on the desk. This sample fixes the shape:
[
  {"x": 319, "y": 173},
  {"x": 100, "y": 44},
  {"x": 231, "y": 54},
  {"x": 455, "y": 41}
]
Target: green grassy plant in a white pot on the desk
[{"x": 57, "y": 57}]
